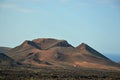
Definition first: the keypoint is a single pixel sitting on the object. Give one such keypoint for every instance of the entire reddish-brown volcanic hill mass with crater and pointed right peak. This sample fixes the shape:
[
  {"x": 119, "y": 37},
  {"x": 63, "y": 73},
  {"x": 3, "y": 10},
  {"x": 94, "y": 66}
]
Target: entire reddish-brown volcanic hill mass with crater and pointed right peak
[{"x": 59, "y": 53}]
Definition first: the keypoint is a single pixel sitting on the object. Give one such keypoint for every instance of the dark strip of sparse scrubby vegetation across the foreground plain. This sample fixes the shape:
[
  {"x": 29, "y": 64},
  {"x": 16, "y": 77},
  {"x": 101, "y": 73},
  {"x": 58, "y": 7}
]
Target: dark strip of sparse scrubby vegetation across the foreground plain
[{"x": 57, "y": 74}]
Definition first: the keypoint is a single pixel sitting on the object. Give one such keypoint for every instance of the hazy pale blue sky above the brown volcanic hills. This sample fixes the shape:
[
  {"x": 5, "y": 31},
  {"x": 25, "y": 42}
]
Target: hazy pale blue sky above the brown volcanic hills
[{"x": 94, "y": 22}]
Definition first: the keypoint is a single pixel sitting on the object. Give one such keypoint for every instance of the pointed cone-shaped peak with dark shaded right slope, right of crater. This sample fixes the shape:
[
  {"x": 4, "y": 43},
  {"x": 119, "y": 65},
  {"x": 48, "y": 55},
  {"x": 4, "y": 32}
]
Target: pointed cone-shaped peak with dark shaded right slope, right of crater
[{"x": 91, "y": 55}]
